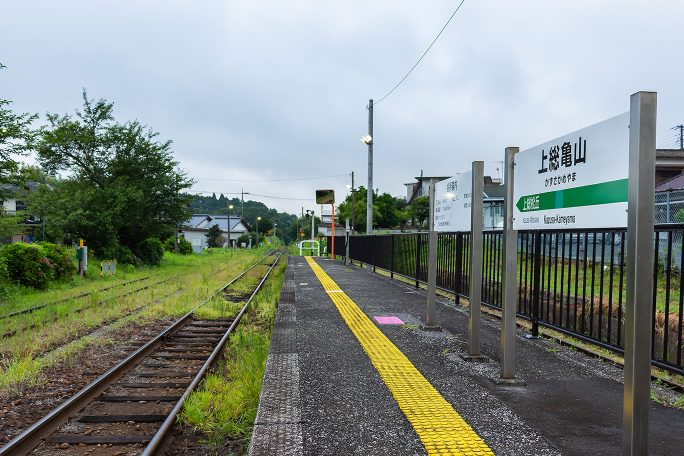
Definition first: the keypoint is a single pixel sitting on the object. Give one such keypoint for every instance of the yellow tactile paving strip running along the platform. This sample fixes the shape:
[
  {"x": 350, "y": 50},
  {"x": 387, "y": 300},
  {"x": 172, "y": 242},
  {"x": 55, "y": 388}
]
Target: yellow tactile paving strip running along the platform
[{"x": 439, "y": 426}]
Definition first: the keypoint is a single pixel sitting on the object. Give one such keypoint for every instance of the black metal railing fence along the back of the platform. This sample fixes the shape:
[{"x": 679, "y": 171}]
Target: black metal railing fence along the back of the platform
[{"x": 571, "y": 281}]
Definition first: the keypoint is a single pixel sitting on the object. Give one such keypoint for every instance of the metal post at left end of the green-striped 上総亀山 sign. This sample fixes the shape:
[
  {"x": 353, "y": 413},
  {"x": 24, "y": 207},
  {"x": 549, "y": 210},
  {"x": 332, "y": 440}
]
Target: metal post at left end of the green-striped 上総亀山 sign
[{"x": 510, "y": 260}]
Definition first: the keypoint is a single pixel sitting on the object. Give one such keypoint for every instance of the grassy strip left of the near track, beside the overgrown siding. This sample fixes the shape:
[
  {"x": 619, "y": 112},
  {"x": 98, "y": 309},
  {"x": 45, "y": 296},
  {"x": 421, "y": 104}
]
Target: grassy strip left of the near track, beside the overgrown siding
[{"x": 24, "y": 355}]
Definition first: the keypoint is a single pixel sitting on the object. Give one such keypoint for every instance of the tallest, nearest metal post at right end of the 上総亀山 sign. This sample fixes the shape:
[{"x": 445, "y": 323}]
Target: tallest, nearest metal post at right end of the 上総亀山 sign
[{"x": 639, "y": 296}]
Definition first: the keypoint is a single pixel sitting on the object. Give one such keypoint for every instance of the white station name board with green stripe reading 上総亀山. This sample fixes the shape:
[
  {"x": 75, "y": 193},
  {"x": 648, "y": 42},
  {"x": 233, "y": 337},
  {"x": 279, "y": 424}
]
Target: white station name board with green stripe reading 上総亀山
[{"x": 576, "y": 181}]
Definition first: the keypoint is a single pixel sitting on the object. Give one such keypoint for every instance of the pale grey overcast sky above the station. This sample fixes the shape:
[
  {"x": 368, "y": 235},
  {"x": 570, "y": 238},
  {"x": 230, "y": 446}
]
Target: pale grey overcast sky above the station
[{"x": 258, "y": 90}]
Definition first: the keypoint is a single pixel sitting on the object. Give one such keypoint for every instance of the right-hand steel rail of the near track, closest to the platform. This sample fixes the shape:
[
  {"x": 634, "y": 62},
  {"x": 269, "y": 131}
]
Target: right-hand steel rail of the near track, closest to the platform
[{"x": 157, "y": 442}]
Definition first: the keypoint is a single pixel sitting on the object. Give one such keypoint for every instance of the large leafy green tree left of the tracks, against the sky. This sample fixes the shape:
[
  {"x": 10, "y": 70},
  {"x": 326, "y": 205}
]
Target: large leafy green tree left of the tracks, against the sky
[{"x": 123, "y": 185}]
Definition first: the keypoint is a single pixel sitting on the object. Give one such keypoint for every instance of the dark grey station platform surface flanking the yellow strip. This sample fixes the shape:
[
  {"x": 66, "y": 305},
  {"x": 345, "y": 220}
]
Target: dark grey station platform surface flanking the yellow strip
[{"x": 322, "y": 393}]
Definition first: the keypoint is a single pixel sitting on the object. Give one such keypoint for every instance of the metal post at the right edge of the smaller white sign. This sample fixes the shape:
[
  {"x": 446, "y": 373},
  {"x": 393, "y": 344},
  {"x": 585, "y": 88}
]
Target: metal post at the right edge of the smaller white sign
[{"x": 475, "y": 279}]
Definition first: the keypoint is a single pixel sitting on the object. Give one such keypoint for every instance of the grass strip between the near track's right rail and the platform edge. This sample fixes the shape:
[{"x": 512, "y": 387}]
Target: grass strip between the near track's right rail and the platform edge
[{"x": 224, "y": 407}]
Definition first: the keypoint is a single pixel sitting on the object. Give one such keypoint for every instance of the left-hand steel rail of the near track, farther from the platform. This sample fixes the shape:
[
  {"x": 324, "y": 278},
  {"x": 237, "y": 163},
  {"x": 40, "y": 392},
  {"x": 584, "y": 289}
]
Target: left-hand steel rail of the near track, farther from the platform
[{"x": 32, "y": 436}]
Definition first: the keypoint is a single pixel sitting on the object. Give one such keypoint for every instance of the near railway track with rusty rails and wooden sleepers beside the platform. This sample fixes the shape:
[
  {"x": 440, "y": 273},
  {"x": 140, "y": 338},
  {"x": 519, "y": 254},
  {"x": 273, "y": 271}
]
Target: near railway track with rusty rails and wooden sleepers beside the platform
[{"x": 131, "y": 408}]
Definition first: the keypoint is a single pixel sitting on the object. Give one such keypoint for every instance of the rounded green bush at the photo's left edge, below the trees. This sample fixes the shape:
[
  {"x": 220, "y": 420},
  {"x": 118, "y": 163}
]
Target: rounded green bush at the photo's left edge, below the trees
[{"x": 28, "y": 265}]
